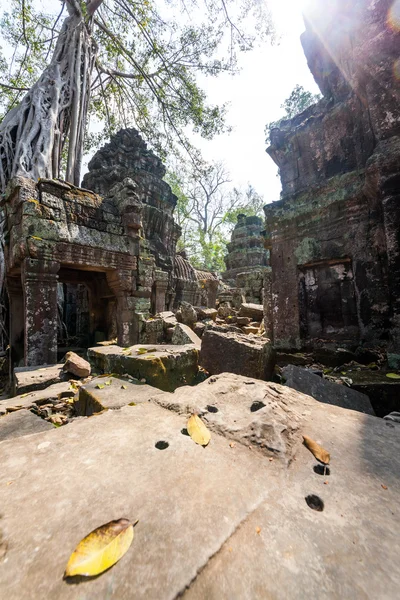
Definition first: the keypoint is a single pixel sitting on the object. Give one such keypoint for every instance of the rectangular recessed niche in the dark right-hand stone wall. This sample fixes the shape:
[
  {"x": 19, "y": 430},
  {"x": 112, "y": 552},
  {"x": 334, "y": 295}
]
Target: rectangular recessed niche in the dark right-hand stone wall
[{"x": 327, "y": 301}]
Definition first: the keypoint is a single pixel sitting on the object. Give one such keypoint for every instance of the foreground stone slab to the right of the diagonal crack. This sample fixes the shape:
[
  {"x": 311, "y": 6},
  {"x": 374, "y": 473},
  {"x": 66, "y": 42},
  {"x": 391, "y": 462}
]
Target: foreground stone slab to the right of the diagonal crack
[{"x": 350, "y": 550}]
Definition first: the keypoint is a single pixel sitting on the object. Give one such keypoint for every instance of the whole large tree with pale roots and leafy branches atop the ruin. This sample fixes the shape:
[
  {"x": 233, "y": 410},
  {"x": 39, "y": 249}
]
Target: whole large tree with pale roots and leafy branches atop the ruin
[{"x": 120, "y": 62}]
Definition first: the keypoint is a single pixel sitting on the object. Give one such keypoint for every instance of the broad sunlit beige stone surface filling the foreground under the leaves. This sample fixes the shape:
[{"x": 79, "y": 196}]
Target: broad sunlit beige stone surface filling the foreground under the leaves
[{"x": 216, "y": 522}]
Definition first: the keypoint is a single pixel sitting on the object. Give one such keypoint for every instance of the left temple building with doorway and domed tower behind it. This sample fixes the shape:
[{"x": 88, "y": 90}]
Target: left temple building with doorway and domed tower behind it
[{"x": 91, "y": 265}]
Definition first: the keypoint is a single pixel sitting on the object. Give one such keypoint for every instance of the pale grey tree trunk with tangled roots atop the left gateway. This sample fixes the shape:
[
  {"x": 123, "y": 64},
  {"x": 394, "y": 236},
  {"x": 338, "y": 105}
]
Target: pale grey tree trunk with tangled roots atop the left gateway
[{"x": 33, "y": 134}]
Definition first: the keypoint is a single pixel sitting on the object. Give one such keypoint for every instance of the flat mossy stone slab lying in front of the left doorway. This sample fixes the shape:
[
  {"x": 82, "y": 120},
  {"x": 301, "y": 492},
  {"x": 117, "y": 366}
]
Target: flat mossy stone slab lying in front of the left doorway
[{"x": 163, "y": 366}]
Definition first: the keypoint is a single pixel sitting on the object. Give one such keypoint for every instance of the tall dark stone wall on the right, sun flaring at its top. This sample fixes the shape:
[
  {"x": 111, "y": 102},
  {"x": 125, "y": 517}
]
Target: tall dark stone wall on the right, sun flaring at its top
[{"x": 334, "y": 236}]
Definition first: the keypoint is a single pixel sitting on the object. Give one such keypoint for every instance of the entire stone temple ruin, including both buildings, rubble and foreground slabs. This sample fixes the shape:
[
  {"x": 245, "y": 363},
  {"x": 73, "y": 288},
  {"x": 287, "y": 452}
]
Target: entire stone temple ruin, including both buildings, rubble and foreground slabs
[{"x": 298, "y": 480}]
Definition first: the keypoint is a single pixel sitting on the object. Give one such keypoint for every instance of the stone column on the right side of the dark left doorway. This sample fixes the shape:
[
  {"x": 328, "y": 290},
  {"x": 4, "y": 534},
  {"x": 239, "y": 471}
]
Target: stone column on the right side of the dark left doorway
[{"x": 122, "y": 283}]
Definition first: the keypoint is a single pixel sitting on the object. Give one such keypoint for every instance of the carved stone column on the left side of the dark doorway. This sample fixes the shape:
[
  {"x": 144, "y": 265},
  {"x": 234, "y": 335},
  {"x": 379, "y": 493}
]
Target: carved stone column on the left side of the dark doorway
[{"x": 39, "y": 278}]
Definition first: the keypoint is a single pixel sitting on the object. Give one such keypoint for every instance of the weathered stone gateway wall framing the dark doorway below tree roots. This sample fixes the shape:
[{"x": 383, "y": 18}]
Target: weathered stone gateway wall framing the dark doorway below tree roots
[{"x": 57, "y": 233}]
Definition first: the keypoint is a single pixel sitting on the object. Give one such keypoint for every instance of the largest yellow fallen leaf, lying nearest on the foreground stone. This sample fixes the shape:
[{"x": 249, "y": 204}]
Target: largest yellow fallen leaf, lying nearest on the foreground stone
[{"x": 101, "y": 549}]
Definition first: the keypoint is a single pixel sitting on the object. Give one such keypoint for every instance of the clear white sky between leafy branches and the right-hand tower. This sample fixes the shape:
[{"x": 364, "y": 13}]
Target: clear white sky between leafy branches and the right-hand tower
[{"x": 267, "y": 78}]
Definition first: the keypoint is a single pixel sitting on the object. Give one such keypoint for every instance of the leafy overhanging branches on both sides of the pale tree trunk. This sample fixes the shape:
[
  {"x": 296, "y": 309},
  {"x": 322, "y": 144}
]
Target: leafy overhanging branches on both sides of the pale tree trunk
[{"x": 148, "y": 55}]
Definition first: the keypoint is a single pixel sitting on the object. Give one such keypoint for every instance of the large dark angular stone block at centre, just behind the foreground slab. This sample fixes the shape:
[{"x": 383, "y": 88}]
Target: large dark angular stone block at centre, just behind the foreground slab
[{"x": 237, "y": 353}]
